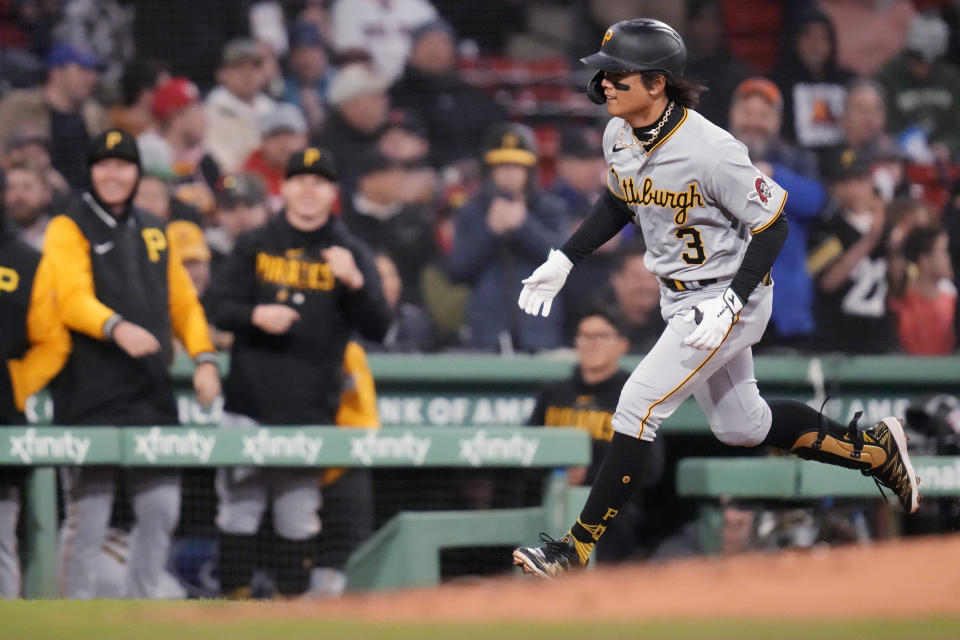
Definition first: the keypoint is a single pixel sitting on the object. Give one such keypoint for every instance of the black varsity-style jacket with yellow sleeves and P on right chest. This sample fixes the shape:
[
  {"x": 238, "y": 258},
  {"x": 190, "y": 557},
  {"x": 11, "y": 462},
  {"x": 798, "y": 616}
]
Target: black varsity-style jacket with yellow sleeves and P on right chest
[{"x": 107, "y": 267}]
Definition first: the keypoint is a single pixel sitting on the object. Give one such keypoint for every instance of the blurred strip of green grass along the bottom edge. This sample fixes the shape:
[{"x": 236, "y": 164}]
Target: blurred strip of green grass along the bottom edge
[{"x": 126, "y": 620}]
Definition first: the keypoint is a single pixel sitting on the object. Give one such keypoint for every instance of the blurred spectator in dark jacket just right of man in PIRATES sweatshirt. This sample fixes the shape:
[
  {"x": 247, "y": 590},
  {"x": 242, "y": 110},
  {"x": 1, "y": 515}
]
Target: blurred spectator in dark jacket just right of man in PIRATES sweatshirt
[{"x": 411, "y": 330}]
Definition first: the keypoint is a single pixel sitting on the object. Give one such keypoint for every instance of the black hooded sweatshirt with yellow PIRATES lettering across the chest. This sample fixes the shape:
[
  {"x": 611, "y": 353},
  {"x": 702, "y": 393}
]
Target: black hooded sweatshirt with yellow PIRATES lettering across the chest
[{"x": 293, "y": 378}]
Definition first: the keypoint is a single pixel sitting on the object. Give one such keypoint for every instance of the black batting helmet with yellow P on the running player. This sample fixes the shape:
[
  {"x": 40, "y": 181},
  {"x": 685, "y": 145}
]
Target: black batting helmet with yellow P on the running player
[{"x": 640, "y": 44}]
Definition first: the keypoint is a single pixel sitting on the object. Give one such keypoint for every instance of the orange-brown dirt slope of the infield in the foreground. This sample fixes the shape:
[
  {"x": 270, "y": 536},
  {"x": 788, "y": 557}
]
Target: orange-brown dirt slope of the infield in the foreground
[{"x": 836, "y": 583}]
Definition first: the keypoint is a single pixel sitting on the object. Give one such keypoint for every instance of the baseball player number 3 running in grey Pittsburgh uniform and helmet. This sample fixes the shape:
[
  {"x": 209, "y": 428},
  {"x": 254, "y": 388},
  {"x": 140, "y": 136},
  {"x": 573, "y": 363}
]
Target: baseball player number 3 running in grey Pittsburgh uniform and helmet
[{"x": 713, "y": 225}]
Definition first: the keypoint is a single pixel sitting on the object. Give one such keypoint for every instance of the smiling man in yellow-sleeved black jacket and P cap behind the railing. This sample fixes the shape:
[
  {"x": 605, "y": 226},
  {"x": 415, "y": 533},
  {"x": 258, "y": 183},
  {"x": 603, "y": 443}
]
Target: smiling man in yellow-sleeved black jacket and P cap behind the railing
[{"x": 122, "y": 292}]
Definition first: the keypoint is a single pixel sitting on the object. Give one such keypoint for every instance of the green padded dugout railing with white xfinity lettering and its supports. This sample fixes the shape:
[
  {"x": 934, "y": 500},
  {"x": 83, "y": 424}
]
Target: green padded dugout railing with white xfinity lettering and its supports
[{"x": 310, "y": 446}]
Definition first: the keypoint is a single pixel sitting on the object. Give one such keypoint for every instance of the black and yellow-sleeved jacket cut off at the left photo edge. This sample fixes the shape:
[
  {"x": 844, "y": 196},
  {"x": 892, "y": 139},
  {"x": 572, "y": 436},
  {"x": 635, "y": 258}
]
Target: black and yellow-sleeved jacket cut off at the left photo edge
[{"x": 34, "y": 343}]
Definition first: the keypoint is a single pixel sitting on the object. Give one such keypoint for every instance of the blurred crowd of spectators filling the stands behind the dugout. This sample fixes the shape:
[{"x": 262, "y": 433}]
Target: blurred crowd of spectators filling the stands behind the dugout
[{"x": 465, "y": 149}]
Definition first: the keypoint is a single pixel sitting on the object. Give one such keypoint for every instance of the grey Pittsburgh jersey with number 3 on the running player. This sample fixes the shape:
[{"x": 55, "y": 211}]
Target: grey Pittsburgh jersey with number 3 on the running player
[{"x": 695, "y": 195}]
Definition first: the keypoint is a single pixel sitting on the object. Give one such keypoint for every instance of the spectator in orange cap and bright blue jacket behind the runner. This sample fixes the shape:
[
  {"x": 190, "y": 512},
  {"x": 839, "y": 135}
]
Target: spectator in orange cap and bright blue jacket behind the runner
[{"x": 755, "y": 120}]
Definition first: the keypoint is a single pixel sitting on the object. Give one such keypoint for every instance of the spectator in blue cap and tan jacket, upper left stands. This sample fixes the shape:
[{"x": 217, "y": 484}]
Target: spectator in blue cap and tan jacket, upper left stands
[{"x": 60, "y": 111}]
